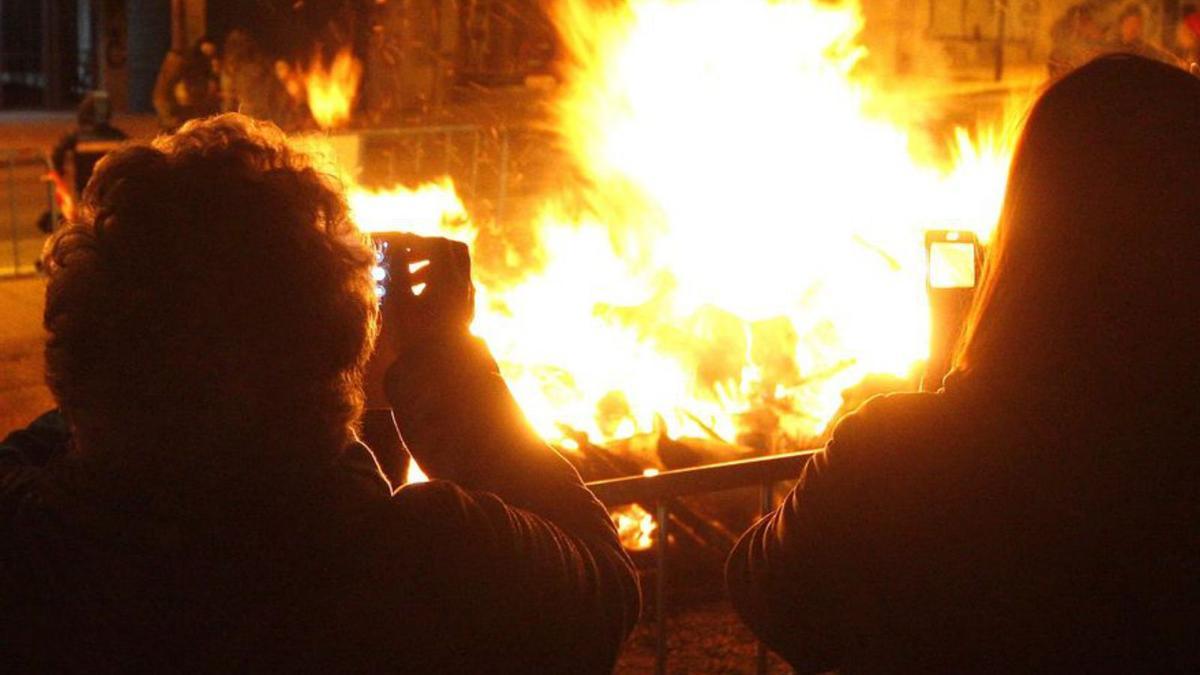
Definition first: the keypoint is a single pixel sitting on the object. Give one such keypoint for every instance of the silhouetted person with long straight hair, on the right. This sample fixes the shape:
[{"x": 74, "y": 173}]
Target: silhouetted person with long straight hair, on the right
[{"x": 1041, "y": 512}]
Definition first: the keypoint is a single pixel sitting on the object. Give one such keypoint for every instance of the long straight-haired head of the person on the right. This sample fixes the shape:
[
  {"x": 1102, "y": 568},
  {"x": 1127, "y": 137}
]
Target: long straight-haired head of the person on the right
[{"x": 1094, "y": 280}]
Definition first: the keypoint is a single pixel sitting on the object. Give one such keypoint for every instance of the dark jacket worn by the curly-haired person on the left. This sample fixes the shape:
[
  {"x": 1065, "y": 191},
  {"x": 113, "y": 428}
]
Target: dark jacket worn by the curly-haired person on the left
[{"x": 505, "y": 563}]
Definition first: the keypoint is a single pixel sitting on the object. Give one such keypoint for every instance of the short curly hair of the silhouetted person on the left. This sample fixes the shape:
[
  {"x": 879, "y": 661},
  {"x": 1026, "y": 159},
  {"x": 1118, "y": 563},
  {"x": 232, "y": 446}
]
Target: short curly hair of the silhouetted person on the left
[{"x": 214, "y": 295}]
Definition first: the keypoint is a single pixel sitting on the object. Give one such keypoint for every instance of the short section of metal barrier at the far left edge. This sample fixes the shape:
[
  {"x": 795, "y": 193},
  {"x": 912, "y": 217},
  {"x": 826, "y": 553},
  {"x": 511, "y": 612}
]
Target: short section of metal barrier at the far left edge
[{"x": 25, "y": 196}]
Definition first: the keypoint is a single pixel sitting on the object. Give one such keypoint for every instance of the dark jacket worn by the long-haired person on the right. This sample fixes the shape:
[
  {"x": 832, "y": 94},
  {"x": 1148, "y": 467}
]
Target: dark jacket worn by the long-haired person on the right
[{"x": 964, "y": 531}]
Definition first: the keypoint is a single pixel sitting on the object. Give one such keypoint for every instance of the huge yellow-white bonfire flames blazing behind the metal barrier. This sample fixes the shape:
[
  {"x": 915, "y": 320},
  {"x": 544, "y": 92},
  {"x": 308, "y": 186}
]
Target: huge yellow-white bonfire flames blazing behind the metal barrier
[{"x": 746, "y": 242}]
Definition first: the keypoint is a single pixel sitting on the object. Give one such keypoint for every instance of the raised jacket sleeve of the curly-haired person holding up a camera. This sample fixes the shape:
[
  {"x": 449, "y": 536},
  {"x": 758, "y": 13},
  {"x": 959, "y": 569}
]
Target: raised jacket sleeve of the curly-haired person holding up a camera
[{"x": 553, "y": 551}]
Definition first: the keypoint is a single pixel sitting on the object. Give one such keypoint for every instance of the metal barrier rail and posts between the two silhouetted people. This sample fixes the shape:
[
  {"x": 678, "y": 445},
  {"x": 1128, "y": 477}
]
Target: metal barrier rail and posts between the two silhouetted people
[{"x": 661, "y": 489}]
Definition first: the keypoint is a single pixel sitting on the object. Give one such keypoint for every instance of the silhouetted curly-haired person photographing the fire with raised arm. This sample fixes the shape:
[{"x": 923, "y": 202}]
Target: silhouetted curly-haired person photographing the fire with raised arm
[{"x": 202, "y": 503}]
